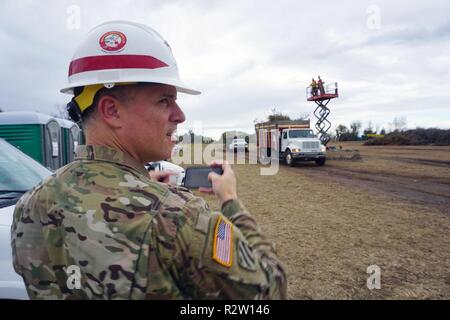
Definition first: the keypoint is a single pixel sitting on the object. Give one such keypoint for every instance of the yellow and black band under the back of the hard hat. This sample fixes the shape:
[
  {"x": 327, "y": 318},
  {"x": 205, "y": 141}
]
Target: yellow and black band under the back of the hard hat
[{"x": 84, "y": 99}]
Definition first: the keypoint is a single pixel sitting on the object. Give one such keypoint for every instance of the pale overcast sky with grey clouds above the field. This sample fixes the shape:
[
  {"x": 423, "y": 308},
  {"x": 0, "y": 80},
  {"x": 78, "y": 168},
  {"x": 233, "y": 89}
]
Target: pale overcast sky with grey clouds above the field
[{"x": 390, "y": 58}]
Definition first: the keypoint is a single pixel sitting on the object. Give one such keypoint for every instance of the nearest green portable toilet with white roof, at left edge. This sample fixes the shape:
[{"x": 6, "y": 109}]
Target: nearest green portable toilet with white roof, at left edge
[{"x": 38, "y": 135}]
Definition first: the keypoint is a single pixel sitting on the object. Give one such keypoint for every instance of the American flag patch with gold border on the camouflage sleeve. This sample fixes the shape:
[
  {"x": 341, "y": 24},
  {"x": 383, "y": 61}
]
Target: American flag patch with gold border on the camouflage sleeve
[{"x": 223, "y": 248}]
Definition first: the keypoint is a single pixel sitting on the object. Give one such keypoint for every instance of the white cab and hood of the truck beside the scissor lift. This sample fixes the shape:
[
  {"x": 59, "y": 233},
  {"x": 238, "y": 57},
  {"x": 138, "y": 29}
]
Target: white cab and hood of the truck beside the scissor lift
[{"x": 301, "y": 144}]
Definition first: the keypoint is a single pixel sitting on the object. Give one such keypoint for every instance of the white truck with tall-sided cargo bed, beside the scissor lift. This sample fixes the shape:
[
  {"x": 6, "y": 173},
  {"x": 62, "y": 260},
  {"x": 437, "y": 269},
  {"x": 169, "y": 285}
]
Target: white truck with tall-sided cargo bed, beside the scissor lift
[{"x": 291, "y": 140}]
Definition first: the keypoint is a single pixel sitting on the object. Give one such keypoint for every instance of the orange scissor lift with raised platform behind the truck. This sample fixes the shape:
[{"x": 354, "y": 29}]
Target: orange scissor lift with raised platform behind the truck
[{"x": 322, "y": 97}]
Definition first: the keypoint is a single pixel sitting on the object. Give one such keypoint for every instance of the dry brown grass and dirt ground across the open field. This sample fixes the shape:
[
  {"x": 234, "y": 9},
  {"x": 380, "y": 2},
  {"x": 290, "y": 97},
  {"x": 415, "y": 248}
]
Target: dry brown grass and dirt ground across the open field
[{"x": 391, "y": 209}]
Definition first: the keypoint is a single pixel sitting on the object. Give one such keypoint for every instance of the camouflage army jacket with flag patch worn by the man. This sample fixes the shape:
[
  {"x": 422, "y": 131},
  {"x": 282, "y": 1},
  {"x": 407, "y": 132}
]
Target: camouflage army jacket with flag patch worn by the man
[{"x": 99, "y": 228}]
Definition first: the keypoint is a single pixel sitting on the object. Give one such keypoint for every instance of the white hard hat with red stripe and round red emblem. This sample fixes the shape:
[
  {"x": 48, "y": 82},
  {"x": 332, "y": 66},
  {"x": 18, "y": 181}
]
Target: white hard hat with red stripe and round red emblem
[{"x": 123, "y": 52}]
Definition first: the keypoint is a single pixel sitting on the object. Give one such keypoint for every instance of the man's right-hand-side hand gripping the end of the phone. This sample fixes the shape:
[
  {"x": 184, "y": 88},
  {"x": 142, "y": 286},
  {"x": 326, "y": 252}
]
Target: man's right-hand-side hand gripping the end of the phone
[{"x": 223, "y": 186}]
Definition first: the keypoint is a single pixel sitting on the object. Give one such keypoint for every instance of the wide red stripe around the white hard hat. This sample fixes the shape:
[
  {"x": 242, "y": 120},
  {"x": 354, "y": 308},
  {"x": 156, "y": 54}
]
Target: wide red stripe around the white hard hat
[{"x": 125, "y": 61}]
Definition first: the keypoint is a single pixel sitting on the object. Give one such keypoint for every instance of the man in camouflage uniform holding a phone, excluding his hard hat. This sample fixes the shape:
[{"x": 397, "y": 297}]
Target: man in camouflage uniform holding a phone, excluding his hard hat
[{"x": 123, "y": 235}]
